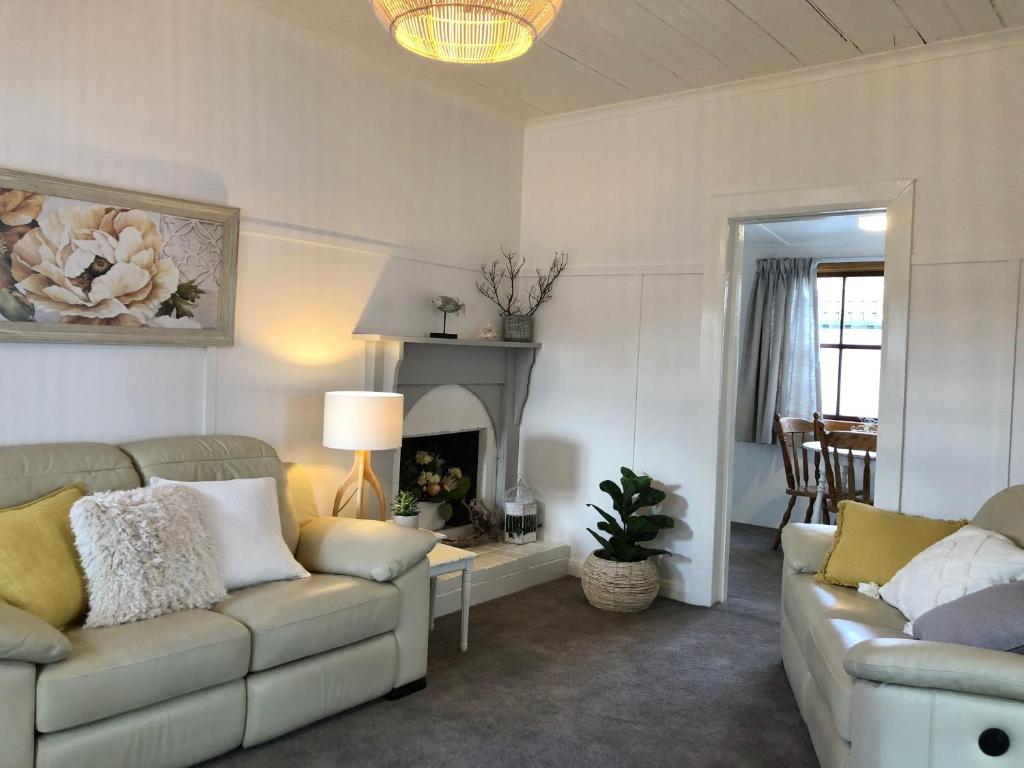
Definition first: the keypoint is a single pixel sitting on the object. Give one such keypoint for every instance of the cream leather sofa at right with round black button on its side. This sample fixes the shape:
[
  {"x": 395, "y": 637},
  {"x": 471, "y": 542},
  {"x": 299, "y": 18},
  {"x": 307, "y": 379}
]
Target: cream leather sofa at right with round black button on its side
[{"x": 871, "y": 697}]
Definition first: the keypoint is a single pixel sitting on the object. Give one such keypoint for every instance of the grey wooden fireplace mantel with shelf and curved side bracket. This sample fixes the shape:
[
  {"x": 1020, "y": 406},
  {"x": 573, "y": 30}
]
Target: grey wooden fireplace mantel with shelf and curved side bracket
[{"x": 497, "y": 372}]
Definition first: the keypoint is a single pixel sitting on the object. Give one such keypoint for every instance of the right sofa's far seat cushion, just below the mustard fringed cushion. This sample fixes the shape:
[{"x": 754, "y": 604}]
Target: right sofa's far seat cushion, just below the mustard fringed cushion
[{"x": 807, "y": 603}]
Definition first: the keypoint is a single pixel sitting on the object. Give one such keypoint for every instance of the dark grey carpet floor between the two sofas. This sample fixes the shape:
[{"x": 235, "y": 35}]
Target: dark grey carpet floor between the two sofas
[{"x": 550, "y": 681}]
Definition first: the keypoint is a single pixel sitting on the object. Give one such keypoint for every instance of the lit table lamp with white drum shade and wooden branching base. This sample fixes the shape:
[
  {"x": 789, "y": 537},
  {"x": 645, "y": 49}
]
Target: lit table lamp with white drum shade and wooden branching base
[{"x": 362, "y": 422}]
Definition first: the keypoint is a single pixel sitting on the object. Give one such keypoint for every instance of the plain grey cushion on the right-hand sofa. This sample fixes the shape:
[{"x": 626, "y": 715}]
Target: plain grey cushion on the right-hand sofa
[{"x": 992, "y": 618}]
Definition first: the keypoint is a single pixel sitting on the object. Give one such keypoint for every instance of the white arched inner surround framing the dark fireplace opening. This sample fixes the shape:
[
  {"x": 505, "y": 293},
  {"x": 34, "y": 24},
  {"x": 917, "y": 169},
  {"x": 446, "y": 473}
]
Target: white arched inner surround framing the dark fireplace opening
[{"x": 448, "y": 409}]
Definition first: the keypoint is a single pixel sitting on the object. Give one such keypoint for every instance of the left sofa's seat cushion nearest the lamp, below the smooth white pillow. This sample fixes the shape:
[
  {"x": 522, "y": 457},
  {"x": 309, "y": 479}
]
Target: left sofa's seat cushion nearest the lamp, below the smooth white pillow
[{"x": 307, "y": 617}]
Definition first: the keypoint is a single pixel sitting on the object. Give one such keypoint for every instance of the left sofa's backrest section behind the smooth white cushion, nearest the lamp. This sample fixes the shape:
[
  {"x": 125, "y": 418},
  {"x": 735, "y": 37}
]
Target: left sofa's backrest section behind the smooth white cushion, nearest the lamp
[{"x": 216, "y": 458}]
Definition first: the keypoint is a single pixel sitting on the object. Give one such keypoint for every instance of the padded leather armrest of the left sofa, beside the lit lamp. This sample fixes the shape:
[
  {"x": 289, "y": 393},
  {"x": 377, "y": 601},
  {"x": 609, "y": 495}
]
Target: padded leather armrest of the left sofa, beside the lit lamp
[{"x": 368, "y": 549}]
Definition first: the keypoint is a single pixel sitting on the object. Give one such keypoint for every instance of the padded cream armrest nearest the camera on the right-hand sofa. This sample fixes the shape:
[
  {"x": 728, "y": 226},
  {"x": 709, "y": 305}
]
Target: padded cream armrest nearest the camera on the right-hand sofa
[{"x": 921, "y": 664}]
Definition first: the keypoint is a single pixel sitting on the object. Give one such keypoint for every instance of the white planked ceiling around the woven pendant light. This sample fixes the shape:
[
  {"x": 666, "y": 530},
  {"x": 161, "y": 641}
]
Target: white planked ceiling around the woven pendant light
[{"x": 604, "y": 52}]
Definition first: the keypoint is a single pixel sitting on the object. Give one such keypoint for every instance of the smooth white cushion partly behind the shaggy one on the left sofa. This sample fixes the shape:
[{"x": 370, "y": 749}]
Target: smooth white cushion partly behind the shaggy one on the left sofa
[{"x": 242, "y": 517}]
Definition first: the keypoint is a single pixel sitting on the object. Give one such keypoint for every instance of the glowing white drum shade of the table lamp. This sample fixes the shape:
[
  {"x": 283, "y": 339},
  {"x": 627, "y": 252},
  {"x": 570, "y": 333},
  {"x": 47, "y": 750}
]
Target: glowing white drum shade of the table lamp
[{"x": 363, "y": 421}]
